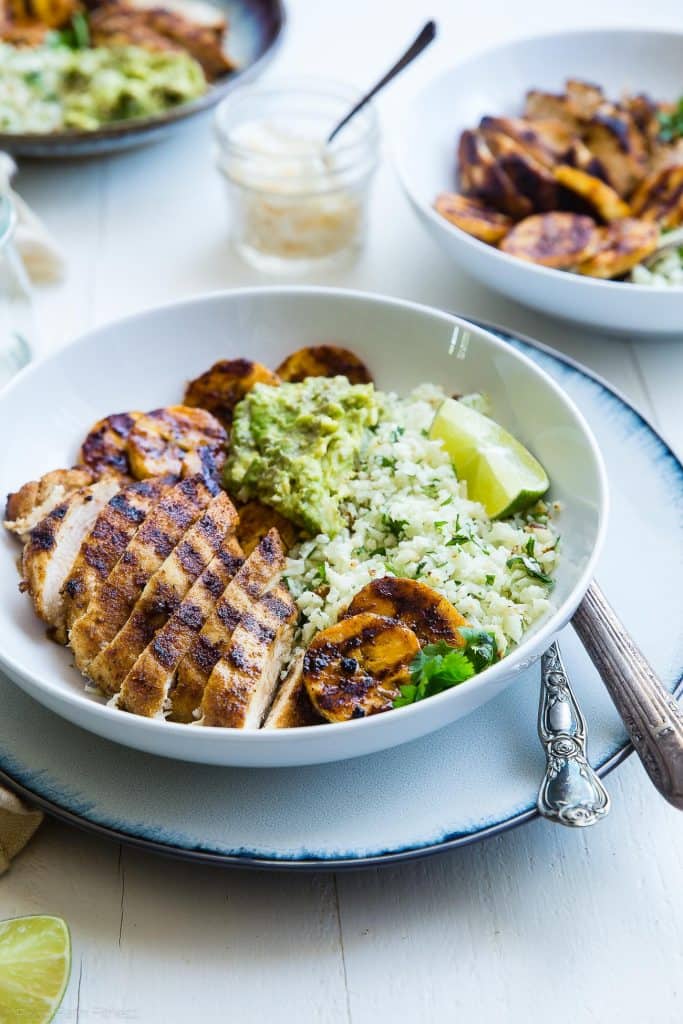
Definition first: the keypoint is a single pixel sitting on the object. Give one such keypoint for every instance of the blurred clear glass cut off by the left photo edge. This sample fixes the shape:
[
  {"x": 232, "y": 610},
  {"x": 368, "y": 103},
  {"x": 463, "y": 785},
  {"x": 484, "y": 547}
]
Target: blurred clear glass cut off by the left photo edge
[{"x": 16, "y": 311}]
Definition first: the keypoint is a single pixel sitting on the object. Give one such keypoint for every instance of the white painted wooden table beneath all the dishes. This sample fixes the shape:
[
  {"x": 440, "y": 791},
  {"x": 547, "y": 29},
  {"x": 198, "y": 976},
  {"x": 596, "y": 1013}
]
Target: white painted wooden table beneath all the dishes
[{"x": 542, "y": 922}]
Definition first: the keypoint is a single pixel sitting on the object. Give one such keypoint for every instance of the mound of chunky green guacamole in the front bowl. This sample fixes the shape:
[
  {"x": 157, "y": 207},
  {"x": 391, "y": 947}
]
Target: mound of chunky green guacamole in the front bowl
[{"x": 293, "y": 447}]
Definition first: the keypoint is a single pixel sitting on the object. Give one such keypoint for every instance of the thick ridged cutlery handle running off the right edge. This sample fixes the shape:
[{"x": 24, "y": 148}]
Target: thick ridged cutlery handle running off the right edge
[{"x": 652, "y": 715}]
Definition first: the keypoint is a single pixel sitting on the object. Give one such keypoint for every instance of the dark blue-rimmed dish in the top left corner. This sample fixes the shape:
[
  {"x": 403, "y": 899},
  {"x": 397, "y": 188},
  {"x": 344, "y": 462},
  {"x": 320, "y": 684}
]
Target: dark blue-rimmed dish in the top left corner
[{"x": 255, "y": 30}]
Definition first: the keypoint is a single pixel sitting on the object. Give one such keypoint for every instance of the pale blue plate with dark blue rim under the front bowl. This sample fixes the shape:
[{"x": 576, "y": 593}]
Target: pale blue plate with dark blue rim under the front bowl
[{"x": 458, "y": 786}]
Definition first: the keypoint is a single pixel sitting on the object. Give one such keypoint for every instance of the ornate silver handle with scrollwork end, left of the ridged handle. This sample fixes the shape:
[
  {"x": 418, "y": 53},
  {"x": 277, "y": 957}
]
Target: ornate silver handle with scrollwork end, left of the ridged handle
[{"x": 571, "y": 793}]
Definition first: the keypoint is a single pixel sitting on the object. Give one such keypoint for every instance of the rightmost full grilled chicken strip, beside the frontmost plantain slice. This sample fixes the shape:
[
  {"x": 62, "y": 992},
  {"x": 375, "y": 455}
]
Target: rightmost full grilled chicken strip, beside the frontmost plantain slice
[{"x": 243, "y": 682}]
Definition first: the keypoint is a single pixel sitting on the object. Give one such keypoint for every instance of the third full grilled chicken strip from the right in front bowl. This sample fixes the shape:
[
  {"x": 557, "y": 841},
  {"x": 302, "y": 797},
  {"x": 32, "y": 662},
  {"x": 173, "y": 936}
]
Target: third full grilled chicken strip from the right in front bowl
[{"x": 146, "y": 689}]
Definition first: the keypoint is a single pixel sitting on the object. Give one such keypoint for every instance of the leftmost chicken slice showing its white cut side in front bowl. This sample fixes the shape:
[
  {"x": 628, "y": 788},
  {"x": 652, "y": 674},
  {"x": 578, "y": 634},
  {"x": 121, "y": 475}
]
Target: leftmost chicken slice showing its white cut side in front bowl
[{"x": 55, "y": 543}]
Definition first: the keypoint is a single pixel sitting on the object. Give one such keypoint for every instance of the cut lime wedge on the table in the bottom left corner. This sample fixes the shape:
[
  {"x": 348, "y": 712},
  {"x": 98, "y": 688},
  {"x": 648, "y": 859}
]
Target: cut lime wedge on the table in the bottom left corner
[{"x": 35, "y": 962}]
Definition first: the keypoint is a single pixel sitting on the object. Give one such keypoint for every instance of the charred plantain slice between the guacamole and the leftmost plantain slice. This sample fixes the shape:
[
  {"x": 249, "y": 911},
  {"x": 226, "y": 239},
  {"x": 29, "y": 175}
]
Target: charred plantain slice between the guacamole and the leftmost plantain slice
[{"x": 163, "y": 441}]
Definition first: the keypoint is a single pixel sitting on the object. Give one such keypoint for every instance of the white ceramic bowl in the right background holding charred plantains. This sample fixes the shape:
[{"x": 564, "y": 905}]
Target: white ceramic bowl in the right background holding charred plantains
[{"x": 495, "y": 83}]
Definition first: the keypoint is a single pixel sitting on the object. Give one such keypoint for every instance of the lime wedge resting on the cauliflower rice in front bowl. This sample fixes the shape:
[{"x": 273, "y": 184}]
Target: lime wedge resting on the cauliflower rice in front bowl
[{"x": 499, "y": 471}]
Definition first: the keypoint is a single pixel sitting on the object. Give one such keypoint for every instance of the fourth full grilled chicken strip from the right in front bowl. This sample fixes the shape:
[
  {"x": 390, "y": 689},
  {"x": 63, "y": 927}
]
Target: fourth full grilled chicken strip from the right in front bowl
[{"x": 163, "y": 593}]
